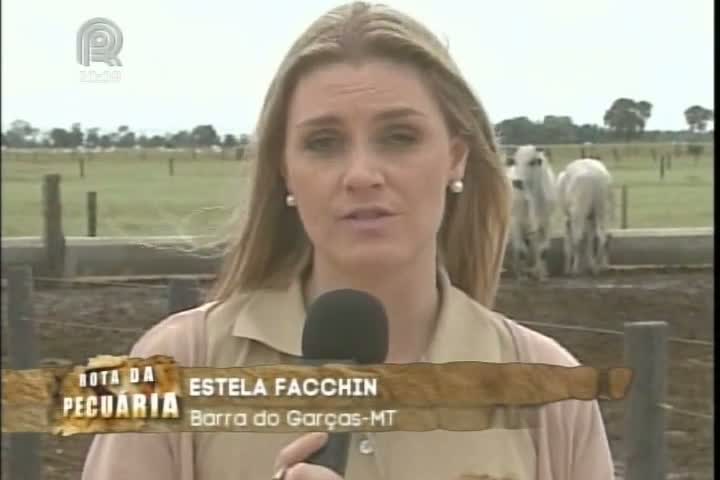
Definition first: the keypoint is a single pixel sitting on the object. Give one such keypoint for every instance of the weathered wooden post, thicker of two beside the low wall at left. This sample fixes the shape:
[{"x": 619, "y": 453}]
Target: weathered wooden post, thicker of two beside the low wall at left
[{"x": 53, "y": 236}]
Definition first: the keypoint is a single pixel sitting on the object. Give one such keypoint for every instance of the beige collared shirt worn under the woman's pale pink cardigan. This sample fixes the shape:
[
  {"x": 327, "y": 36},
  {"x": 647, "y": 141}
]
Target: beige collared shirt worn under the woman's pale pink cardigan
[{"x": 266, "y": 327}]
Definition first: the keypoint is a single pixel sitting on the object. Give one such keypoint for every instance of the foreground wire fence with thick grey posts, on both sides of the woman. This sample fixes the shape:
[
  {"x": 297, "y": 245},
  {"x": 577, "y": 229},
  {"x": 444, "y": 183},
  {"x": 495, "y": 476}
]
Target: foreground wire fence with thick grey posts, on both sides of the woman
[{"x": 645, "y": 348}]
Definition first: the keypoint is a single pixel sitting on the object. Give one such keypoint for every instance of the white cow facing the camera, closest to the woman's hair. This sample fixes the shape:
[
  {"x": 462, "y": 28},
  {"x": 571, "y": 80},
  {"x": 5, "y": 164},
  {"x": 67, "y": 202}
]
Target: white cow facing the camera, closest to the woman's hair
[{"x": 534, "y": 200}]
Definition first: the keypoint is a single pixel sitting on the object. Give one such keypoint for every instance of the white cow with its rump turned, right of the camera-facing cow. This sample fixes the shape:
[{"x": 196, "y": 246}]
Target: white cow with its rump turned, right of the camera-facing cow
[{"x": 586, "y": 200}]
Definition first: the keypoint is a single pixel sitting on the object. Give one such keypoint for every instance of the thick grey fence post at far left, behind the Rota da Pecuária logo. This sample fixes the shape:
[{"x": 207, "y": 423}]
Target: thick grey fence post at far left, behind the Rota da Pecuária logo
[{"x": 24, "y": 448}]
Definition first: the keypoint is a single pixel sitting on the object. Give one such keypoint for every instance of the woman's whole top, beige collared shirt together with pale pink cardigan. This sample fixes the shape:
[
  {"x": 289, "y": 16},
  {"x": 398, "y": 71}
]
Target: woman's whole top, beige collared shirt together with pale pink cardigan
[{"x": 266, "y": 327}]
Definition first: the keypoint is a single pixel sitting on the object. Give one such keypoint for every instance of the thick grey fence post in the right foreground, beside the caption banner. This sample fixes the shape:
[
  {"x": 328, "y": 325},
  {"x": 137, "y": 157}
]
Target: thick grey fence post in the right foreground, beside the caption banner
[{"x": 644, "y": 432}]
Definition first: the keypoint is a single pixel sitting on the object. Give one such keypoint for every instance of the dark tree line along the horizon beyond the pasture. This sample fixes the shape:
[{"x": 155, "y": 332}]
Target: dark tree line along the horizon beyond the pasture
[{"x": 624, "y": 121}]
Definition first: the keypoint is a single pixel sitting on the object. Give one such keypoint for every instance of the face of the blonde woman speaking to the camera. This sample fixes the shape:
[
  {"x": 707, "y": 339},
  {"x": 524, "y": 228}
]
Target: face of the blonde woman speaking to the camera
[{"x": 368, "y": 158}]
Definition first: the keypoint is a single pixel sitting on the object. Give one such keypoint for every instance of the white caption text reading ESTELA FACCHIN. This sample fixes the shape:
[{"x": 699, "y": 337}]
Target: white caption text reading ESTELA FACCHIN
[{"x": 283, "y": 387}]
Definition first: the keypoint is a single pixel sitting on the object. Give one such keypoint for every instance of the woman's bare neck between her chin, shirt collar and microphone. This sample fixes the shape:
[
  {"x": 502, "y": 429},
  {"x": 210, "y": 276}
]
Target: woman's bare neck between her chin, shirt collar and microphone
[{"x": 410, "y": 297}]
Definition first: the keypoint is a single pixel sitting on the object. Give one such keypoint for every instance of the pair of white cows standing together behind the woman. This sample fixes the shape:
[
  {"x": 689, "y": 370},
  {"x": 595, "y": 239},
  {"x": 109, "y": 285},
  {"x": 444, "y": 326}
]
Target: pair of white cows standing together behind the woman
[{"x": 582, "y": 194}]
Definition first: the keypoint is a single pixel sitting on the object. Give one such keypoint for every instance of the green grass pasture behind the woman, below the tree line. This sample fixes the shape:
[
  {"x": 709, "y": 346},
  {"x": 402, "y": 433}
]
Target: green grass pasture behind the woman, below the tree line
[{"x": 137, "y": 196}]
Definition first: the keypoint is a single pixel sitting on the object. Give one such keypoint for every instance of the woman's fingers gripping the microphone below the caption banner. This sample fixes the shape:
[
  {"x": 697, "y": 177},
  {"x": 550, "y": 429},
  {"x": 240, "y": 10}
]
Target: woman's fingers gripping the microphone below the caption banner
[{"x": 291, "y": 458}]
